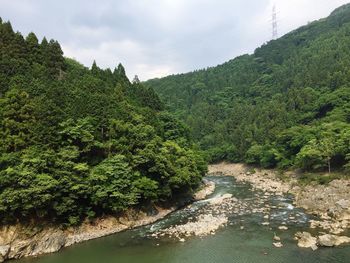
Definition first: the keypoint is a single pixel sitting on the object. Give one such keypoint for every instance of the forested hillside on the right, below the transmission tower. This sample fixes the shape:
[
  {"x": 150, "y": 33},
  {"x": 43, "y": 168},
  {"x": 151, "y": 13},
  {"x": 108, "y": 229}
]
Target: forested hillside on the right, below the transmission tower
[{"x": 286, "y": 105}]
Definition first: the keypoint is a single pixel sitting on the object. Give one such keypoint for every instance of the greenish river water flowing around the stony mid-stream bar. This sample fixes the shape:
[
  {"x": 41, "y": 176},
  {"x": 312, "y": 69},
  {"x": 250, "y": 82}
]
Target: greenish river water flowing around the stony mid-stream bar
[{"x": 243, "y": 240}]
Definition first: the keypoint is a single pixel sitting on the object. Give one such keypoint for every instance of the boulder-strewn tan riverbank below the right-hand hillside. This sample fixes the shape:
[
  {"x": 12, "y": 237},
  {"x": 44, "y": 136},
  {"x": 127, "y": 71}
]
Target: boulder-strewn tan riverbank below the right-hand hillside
[{"x": 330, "y": 203}]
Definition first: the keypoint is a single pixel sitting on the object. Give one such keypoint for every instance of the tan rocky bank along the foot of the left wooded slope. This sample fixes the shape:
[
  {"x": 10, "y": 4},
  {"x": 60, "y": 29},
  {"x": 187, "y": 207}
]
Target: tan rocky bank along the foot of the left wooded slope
[{"x": 17, "y": 241}]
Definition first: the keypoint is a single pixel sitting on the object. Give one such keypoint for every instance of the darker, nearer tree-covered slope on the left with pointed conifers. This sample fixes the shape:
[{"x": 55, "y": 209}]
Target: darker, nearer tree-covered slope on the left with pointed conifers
[{"x": 78, "y": 143}]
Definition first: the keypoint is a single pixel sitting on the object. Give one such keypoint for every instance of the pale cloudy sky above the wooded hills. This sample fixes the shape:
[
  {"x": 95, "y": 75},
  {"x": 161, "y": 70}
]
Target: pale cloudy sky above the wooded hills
[{"x": 155, "y": 38}]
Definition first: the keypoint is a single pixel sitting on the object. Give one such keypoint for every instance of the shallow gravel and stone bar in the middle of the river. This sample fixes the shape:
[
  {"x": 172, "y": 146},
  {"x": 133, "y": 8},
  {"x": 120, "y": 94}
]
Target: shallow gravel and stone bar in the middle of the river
[{"x": 208, "y": 216}]
